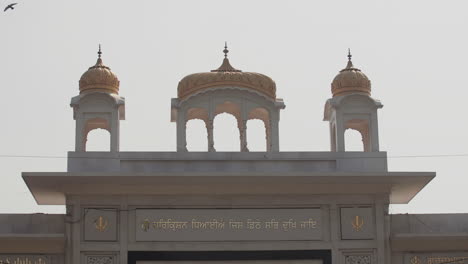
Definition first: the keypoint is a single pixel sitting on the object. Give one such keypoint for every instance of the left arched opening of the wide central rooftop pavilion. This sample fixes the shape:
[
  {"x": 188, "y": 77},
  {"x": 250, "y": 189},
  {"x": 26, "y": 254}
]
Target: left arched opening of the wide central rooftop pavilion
[{"x": 197, "y": 136}]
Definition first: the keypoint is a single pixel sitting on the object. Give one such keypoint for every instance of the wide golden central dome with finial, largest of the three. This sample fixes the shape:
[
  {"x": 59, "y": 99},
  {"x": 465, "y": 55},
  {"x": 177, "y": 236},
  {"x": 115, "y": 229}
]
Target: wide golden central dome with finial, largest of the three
[{"x": 226, "y": 76}]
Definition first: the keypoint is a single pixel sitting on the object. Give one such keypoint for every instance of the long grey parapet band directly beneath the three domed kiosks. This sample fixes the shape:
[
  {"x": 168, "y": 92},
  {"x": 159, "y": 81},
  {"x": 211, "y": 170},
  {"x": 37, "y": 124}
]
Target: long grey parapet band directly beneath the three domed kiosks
[{"x": 227, "y": 161}]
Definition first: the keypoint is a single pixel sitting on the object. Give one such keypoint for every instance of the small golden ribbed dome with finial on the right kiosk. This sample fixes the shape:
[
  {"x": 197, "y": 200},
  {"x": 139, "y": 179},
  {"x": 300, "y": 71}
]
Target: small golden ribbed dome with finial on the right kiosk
[{"x": 350, "y": 80}]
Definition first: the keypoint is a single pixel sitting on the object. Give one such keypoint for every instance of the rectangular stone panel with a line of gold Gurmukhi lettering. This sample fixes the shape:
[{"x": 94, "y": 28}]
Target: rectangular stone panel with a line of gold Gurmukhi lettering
[{"x": 228, "y": 224}]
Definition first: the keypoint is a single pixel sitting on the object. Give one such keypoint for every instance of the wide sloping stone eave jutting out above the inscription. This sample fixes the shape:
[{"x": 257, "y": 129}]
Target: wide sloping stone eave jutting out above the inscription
[{"x": 50, "y": 188}]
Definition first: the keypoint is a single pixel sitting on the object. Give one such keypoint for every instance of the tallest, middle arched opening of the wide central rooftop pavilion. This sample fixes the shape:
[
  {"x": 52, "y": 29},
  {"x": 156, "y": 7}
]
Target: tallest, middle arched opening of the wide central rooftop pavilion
[{"x": 226, "y": 133}]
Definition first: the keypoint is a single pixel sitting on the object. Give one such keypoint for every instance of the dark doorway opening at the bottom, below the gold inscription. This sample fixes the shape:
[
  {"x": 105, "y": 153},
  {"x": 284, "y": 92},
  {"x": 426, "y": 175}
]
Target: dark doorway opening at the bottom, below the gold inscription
[{"x": 324, "y": 255}]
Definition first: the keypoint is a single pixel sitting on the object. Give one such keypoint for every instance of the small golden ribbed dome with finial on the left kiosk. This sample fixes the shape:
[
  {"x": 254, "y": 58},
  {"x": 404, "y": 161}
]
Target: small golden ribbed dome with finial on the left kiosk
[{"x": 99, "y": 78}]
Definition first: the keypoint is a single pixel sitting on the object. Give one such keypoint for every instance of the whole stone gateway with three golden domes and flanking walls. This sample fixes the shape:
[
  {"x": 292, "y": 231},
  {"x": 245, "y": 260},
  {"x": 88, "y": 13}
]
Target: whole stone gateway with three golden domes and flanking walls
[{"x": 229, "y": 207}]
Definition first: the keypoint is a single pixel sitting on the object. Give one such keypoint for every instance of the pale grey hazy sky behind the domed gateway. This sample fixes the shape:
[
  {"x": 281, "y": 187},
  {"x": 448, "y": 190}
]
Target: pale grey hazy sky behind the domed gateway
[{"x": 414, "y": 52}]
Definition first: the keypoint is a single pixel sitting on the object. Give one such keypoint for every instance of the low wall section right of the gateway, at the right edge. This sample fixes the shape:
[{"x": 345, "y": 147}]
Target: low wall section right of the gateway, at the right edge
[{"x": 429, "y": 238}]
